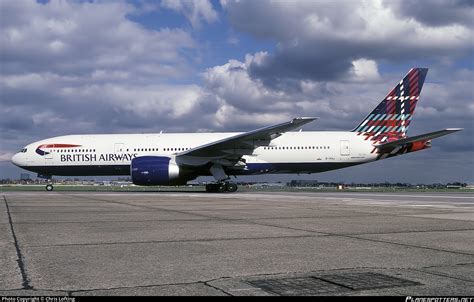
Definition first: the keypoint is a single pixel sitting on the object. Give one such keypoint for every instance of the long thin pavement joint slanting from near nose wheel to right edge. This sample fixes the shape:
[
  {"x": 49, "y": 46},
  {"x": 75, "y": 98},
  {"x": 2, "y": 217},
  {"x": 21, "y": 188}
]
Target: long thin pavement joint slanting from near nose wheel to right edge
[{"x": 297, "y": 229}]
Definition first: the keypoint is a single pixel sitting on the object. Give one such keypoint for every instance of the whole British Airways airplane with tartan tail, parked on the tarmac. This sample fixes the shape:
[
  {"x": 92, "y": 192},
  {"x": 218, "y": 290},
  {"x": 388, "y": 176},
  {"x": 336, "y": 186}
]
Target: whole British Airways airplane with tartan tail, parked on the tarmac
[{"x": 176, "y": 158}]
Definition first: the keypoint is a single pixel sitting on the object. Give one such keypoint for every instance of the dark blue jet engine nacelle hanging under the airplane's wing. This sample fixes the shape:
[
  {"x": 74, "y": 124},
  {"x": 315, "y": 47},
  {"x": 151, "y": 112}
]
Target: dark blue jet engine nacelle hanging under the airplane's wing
[{"x": 155, "y": 170}]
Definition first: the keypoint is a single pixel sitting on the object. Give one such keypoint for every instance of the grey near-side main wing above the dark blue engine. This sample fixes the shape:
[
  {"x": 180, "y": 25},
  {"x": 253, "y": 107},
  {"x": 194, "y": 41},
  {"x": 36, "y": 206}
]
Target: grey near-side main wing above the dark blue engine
[{"x": 231, "y": 149}]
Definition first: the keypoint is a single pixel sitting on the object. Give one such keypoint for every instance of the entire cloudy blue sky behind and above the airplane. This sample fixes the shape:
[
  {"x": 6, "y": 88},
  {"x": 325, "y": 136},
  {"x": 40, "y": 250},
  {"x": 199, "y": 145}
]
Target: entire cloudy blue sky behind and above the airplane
[{"x": 73, "y": 67}]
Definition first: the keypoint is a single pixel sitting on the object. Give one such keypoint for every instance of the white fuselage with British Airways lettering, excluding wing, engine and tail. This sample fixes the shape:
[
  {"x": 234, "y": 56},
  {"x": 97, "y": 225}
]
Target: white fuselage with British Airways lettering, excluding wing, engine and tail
[{"x": 111, "y": 154}]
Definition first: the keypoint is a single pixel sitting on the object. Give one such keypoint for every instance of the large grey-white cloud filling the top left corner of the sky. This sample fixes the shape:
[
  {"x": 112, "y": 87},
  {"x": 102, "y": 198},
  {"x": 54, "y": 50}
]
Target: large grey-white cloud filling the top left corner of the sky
[{"x": 80, "y": 38}]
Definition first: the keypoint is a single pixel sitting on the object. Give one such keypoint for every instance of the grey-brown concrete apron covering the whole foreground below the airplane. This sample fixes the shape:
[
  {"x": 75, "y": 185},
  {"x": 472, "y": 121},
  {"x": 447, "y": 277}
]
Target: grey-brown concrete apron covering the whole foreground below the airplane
[{"x": 224, "y": 244}]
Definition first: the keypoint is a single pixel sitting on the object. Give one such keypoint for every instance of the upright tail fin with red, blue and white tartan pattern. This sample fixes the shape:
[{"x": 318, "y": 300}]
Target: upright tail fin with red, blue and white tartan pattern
[{"x": 391, "y": 118}]
